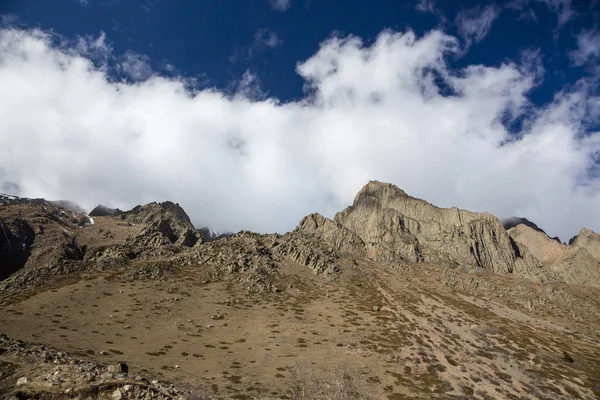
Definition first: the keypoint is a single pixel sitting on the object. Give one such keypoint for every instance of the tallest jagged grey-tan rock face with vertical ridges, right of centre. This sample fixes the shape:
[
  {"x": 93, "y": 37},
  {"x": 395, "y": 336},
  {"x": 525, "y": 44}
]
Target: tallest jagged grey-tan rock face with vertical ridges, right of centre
[{"x": 394, "y": 226}]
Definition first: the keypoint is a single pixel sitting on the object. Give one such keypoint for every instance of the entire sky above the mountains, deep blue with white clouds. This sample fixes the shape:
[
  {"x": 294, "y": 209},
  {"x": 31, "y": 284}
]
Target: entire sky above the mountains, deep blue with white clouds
[{"x": 252, "y": 114}]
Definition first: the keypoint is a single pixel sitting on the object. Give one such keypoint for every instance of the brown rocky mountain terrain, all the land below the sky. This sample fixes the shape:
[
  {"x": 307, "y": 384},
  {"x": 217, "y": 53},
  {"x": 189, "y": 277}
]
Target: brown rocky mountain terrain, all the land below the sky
[{"x": 392, "y": 299}]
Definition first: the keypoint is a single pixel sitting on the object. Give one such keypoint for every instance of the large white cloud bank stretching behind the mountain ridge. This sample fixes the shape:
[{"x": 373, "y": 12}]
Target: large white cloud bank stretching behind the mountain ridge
[{"x": 235, "y": 162}]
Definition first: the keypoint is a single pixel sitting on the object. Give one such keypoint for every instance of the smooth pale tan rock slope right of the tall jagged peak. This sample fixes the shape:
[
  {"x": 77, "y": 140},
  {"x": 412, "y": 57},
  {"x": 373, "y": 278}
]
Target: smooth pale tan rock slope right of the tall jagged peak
[{"x": 540, "y": 245}]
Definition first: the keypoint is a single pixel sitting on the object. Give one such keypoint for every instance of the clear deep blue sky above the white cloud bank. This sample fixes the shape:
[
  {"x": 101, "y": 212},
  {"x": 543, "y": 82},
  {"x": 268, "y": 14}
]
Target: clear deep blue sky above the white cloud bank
[{"x": 217, "y": 41}]
